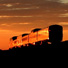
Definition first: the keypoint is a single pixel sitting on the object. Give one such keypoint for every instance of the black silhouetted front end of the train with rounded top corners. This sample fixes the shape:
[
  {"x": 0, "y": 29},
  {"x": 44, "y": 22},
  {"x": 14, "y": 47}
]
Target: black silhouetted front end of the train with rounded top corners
[{"x": 55, "y": 33}]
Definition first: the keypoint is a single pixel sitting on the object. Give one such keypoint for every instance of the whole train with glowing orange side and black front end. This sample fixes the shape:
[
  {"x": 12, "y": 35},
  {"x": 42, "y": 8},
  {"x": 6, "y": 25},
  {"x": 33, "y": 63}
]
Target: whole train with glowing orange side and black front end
[{"x": 53, "y": 33}]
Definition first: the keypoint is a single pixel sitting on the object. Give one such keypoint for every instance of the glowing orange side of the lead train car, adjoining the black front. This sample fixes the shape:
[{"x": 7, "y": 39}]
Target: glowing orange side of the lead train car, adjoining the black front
[{"x": 38, "y": 36}]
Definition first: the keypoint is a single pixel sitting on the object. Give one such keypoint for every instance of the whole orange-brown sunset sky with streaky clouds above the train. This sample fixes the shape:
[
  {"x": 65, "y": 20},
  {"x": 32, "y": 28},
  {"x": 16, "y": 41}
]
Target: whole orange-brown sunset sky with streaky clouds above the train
[{"x": 21, "y": 16}]
